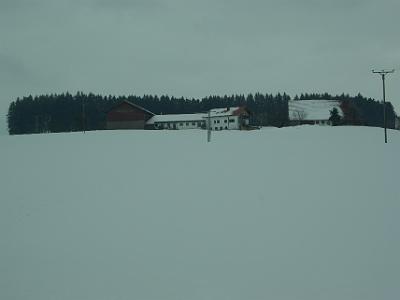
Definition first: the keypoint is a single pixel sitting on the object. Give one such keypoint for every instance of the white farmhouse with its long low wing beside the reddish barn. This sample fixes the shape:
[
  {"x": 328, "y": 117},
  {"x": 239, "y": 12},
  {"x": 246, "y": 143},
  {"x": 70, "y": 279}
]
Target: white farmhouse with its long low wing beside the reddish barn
[{"x": 234, "y": 118}]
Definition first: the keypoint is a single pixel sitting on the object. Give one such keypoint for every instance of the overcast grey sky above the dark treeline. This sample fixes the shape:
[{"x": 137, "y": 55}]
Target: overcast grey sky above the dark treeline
[{"x": 197, "y": 48}]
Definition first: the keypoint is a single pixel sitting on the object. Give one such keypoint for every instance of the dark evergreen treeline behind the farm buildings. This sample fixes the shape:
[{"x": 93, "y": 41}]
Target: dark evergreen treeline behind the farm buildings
[{"x": 66, "y": 112}]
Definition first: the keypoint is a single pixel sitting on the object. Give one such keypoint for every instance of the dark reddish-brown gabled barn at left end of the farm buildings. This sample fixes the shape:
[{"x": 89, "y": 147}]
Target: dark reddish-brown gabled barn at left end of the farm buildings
[{"x": 127, "y": 115}]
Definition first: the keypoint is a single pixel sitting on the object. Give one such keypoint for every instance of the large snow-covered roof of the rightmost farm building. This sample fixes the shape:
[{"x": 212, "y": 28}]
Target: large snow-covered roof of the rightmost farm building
[{"x": 309, "y": 110}]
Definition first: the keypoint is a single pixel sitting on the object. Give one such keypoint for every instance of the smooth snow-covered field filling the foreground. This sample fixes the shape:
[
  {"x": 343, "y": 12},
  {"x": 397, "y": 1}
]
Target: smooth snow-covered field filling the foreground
[{"x": 294, "y": 213}]
